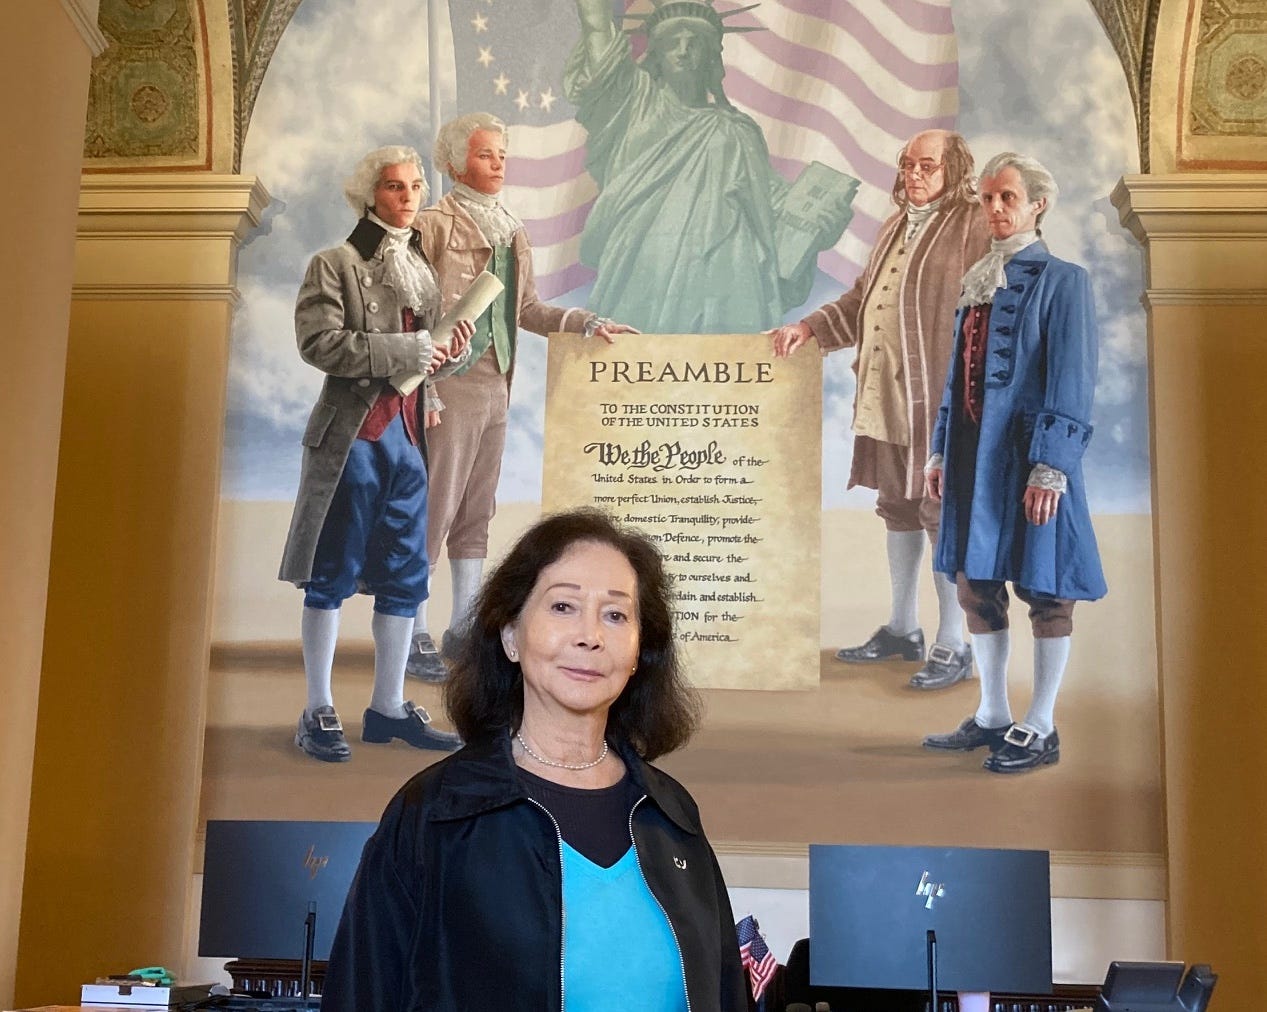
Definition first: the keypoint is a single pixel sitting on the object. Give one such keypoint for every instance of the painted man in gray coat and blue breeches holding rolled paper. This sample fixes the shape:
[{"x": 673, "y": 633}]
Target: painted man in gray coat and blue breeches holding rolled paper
[{"x": 363, "y": 319}]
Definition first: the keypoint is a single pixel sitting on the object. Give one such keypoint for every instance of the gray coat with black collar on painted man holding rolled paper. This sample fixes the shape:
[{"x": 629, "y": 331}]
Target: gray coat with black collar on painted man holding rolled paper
[{"x": 348, "y": 325}]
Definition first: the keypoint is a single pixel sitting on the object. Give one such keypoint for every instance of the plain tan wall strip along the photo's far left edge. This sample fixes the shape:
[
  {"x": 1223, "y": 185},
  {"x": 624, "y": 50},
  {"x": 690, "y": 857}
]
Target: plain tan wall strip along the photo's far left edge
[{"x": 44, "y": 72}]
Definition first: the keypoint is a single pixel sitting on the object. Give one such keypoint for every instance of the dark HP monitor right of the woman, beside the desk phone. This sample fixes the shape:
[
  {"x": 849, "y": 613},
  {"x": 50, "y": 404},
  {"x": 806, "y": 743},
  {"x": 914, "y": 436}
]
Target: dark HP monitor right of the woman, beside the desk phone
[{"x": 871, "y": 909}]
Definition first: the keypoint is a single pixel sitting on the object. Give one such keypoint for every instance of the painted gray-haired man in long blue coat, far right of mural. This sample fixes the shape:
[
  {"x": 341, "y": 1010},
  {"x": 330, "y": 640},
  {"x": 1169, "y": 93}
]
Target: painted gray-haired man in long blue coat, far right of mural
[{"x": 1007, "y": 462}]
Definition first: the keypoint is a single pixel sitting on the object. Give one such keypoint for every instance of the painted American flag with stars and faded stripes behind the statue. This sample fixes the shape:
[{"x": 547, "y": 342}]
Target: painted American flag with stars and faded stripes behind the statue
[{"x": 843, "y": 83}]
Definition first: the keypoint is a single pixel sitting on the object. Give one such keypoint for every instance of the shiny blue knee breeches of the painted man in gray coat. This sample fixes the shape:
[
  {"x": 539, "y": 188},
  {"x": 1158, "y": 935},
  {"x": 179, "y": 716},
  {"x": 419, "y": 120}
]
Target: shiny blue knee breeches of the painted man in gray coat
[{"x": 374, "y": 536}]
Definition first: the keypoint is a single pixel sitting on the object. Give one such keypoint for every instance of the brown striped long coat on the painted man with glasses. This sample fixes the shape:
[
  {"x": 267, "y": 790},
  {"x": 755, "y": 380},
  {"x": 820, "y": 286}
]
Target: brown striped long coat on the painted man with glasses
[{"x": 950, "y": 244}]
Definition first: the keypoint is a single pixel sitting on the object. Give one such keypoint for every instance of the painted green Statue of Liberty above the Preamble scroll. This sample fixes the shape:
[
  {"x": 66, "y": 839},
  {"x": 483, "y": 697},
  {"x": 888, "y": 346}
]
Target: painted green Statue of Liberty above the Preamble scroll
[{"x": 694, "y": 231}]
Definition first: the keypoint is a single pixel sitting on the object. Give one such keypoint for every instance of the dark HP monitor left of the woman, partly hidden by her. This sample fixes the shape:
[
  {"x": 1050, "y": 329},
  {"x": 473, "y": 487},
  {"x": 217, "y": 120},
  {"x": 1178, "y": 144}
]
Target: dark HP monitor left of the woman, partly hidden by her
[{"x": 260, "y": 877}]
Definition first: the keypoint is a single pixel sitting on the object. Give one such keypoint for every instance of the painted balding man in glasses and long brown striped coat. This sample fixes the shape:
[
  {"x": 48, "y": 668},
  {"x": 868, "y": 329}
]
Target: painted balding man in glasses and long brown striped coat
[{"x": 900, "y": 316}]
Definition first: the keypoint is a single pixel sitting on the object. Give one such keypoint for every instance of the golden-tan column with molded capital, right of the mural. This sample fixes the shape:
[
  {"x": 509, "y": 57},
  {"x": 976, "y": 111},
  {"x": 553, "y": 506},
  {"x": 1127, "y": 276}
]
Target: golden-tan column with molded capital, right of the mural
[{"x": 1207, "y": 298}]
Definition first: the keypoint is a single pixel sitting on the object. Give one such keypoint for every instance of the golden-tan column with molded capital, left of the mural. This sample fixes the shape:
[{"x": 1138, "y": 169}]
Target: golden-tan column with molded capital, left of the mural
[{"x": 122, "y": 702}]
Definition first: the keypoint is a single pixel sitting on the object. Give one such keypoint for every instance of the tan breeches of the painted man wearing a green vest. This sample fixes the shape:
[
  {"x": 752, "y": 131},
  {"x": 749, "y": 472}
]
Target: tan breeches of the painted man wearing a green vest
[{"x": 466, "y": 457}]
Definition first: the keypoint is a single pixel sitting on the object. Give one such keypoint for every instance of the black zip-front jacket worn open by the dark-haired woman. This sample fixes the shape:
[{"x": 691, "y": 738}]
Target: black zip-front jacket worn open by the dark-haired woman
[{"x": 458, "y": 902}]
